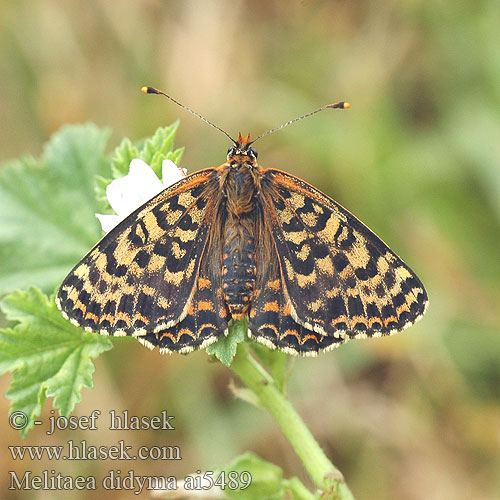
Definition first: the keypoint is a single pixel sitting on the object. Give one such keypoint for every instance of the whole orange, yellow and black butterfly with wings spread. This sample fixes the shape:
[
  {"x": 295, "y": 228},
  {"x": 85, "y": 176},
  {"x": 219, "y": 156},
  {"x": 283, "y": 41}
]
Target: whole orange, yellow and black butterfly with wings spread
[{"x": 239, "y": 240}]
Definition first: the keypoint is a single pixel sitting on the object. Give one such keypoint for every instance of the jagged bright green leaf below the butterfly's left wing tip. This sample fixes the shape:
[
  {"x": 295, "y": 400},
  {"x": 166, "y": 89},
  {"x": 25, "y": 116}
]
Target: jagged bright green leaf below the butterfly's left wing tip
[{"x": 48, "y": 355}]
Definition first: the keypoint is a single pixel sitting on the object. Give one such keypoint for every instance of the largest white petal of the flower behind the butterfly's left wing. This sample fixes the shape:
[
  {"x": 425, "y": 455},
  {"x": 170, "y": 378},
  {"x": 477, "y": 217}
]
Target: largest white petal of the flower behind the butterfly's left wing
[{"x": 130, "y": 192}]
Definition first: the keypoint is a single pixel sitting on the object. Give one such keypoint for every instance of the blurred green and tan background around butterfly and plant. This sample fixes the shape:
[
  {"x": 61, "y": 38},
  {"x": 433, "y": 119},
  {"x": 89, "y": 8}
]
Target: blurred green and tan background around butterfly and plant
[{"x": 417, "y": 158}]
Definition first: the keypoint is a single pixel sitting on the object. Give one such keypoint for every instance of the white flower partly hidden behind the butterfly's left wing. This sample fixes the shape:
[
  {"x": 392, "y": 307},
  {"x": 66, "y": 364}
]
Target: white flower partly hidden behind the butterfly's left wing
[{"x": 136, "y": 188}]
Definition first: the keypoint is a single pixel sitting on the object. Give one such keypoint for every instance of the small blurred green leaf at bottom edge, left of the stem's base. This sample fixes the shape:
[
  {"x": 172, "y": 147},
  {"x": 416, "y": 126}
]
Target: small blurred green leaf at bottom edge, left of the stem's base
[{"x": 267, "y": 478}]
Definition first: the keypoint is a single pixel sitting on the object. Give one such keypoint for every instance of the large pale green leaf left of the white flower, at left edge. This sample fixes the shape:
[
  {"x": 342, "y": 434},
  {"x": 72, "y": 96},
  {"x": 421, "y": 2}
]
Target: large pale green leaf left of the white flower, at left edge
[{"x": 47, "y": 219}]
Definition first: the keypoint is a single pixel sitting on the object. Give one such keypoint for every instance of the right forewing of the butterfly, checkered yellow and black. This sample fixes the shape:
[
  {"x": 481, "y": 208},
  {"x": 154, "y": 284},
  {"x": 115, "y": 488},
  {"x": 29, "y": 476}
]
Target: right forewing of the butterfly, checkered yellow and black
[{"x": 341, "y": 279}]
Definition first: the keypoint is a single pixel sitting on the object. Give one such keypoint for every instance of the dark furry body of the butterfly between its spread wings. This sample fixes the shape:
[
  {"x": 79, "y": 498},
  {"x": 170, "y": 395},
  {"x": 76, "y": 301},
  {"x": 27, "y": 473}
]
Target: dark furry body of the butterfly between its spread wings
[{"x": 240, "y": 189}]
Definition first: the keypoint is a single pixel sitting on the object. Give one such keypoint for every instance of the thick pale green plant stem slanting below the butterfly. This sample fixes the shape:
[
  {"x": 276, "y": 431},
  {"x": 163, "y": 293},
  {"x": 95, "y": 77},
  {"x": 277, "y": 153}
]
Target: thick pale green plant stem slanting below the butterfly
[{"x": 323, "y": 473}]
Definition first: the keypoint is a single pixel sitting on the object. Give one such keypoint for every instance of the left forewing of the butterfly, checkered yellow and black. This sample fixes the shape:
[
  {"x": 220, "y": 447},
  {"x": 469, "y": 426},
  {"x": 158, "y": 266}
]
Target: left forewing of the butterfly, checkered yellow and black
[{"x": 131, "y": 281}]
